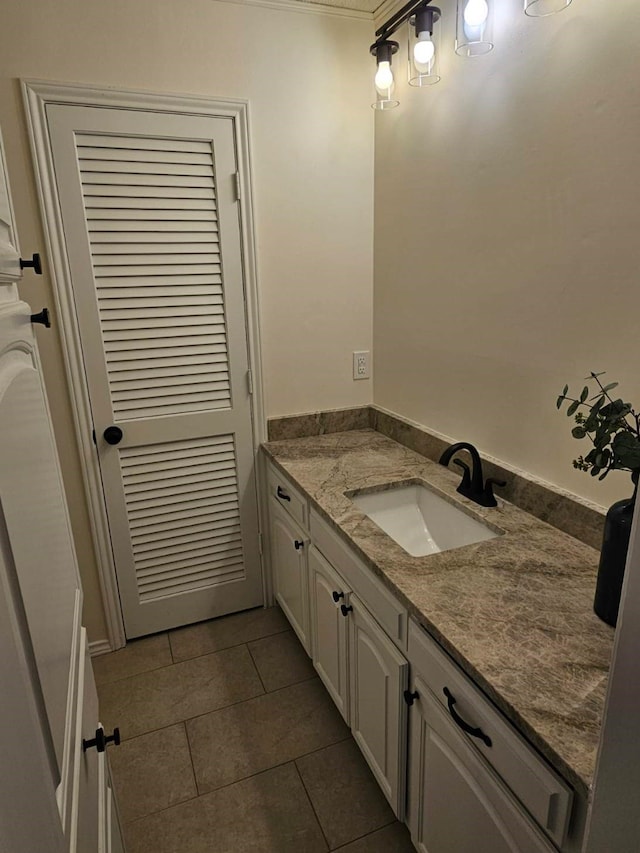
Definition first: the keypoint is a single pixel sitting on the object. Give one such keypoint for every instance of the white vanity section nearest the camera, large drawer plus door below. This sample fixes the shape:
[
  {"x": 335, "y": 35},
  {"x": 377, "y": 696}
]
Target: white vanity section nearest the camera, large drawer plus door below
[{"x": 475, "y": 785}]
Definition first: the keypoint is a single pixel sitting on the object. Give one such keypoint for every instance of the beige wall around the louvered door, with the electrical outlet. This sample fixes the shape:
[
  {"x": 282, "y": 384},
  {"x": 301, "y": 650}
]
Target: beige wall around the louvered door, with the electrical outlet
[{"x": 312, "y": 149}]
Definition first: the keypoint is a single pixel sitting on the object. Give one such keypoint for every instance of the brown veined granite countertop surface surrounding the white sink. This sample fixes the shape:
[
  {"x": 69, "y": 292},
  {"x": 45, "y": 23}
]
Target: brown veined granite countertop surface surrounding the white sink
[{"x": 515, "y": 612}]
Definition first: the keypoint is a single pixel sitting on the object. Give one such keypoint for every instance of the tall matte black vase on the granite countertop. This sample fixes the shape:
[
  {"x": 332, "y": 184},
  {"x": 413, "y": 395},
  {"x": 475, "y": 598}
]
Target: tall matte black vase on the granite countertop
[{"x": 613, "y": 557}]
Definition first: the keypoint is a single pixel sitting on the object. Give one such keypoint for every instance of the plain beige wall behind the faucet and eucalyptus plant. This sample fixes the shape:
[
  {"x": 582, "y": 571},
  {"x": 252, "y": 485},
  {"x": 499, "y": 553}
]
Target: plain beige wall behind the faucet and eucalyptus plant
[{"x": 507, "y": 249}]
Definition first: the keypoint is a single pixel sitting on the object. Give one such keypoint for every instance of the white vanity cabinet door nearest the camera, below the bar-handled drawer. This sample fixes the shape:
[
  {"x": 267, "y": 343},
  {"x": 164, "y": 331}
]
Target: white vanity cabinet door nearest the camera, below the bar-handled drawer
[{"x": 457, "y": 804}]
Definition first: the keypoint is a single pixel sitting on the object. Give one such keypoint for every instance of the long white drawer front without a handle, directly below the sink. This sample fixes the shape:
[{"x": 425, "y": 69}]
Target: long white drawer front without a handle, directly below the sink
[{"x": 390, "y": 614}]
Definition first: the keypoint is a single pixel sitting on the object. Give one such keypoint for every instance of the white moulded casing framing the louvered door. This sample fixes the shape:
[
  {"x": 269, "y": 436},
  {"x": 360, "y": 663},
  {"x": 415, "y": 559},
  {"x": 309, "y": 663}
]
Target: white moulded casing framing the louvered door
[{"x": 37, "y": 95}]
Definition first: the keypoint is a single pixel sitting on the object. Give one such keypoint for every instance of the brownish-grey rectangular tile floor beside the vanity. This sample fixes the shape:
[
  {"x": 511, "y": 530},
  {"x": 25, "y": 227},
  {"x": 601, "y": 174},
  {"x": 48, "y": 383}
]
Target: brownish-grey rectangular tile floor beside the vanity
[{"x": 231, "y": 743}]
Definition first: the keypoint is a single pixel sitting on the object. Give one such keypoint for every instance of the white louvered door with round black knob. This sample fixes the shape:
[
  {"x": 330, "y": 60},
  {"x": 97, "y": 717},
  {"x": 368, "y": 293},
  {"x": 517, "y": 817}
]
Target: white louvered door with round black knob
[{"x": 152, "y": 231}]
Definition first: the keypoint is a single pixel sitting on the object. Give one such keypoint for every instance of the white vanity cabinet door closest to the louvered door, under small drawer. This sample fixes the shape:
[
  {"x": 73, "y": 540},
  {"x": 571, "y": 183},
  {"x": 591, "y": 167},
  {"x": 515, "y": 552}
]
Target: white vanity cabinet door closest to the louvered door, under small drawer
[{"x": 289, "y": 562}]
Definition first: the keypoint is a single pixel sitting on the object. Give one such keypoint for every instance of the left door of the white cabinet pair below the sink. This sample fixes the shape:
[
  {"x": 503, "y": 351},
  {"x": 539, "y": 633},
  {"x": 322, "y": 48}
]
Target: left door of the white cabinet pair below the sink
[{"x": 329, "y": 629}]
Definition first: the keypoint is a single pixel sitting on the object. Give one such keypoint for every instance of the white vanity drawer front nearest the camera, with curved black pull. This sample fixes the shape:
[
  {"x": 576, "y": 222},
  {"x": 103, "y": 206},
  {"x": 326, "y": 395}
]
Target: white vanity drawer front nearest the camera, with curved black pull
[{"x": 544, "y": 794}]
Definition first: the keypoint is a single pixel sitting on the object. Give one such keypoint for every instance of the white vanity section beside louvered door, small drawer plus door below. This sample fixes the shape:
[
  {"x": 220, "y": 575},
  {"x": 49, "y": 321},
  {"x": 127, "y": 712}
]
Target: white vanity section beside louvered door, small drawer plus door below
[{"x": 289, "y": 543}]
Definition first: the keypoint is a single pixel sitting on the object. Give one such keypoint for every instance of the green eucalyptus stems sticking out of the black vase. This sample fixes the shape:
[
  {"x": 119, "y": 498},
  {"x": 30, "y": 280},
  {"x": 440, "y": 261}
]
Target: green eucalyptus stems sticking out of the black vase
[{"x": 612, "y": 426}]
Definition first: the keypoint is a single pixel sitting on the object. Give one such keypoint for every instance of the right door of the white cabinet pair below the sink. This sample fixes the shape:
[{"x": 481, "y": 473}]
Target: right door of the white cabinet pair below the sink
[{"x": 378, "y": 678}]
